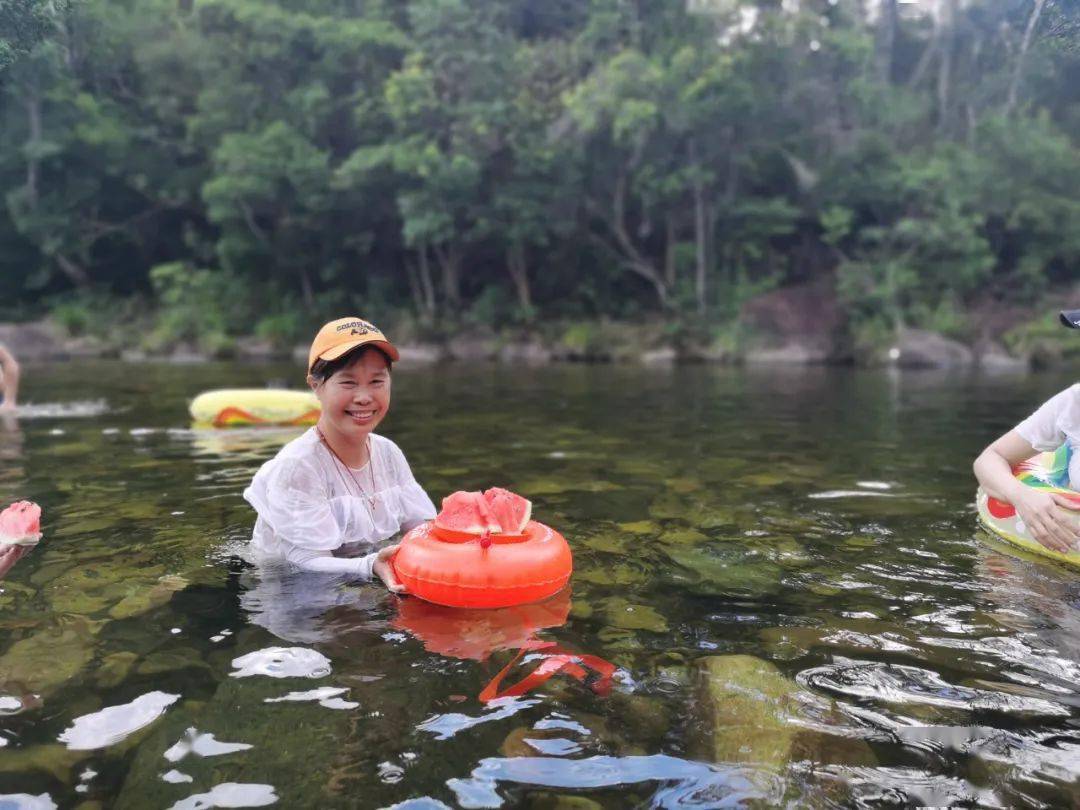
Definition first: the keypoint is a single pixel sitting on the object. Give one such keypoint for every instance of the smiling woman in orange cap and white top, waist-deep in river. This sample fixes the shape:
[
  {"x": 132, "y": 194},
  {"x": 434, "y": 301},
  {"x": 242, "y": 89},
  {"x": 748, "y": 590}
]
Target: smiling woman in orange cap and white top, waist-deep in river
[{"x": 330, "y": 497}]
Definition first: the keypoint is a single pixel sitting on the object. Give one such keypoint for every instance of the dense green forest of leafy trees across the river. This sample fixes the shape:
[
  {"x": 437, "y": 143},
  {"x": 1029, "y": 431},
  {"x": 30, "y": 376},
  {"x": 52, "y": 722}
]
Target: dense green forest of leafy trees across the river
[{"x": 692, "y": 174}]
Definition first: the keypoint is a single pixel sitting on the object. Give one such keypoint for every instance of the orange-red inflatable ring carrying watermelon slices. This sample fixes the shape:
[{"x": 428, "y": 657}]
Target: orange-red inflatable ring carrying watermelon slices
[{"x": 484, "y": 573}]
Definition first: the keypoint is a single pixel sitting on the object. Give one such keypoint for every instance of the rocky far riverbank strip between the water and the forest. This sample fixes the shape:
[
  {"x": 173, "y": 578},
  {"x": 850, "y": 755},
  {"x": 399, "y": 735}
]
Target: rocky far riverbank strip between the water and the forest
[{"x": 795, "y": 326}]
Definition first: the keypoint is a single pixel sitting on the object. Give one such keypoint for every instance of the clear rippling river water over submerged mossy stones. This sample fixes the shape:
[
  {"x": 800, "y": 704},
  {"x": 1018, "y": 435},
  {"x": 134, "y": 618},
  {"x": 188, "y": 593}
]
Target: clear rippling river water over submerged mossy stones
[{"x": 780, "y": 597}]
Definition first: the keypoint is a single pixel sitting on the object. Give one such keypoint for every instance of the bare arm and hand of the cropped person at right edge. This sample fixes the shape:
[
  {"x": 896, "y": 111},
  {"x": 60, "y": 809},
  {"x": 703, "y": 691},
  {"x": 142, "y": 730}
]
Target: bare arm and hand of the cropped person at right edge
[{"x": 1044, "y": 514}]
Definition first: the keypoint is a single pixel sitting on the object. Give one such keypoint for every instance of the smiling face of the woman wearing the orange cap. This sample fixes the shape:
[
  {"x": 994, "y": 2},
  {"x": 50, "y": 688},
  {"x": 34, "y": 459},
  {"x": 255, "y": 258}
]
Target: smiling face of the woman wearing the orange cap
[{"x": 355, "y": 399}]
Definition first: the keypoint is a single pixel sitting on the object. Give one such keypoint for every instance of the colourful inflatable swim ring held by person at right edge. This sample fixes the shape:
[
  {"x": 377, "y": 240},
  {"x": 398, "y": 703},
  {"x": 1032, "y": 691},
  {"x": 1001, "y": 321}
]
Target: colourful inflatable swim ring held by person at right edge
[{"x": 1048, "y": 471}]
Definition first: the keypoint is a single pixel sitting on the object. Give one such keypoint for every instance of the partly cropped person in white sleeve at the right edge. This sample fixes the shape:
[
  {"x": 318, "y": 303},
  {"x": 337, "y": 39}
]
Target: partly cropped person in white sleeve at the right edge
[{"x": 1056, "y": 423}]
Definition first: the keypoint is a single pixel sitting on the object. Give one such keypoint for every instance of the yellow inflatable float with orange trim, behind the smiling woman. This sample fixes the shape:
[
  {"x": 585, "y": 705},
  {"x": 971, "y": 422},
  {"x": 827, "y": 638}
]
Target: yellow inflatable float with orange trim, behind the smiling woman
[{"x": 244, "y": 407}]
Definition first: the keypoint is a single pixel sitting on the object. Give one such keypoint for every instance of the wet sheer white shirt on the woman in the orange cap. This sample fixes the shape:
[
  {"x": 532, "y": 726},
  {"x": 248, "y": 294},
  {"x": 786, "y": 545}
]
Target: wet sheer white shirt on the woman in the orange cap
[{"x": 319, "y": 515}]
